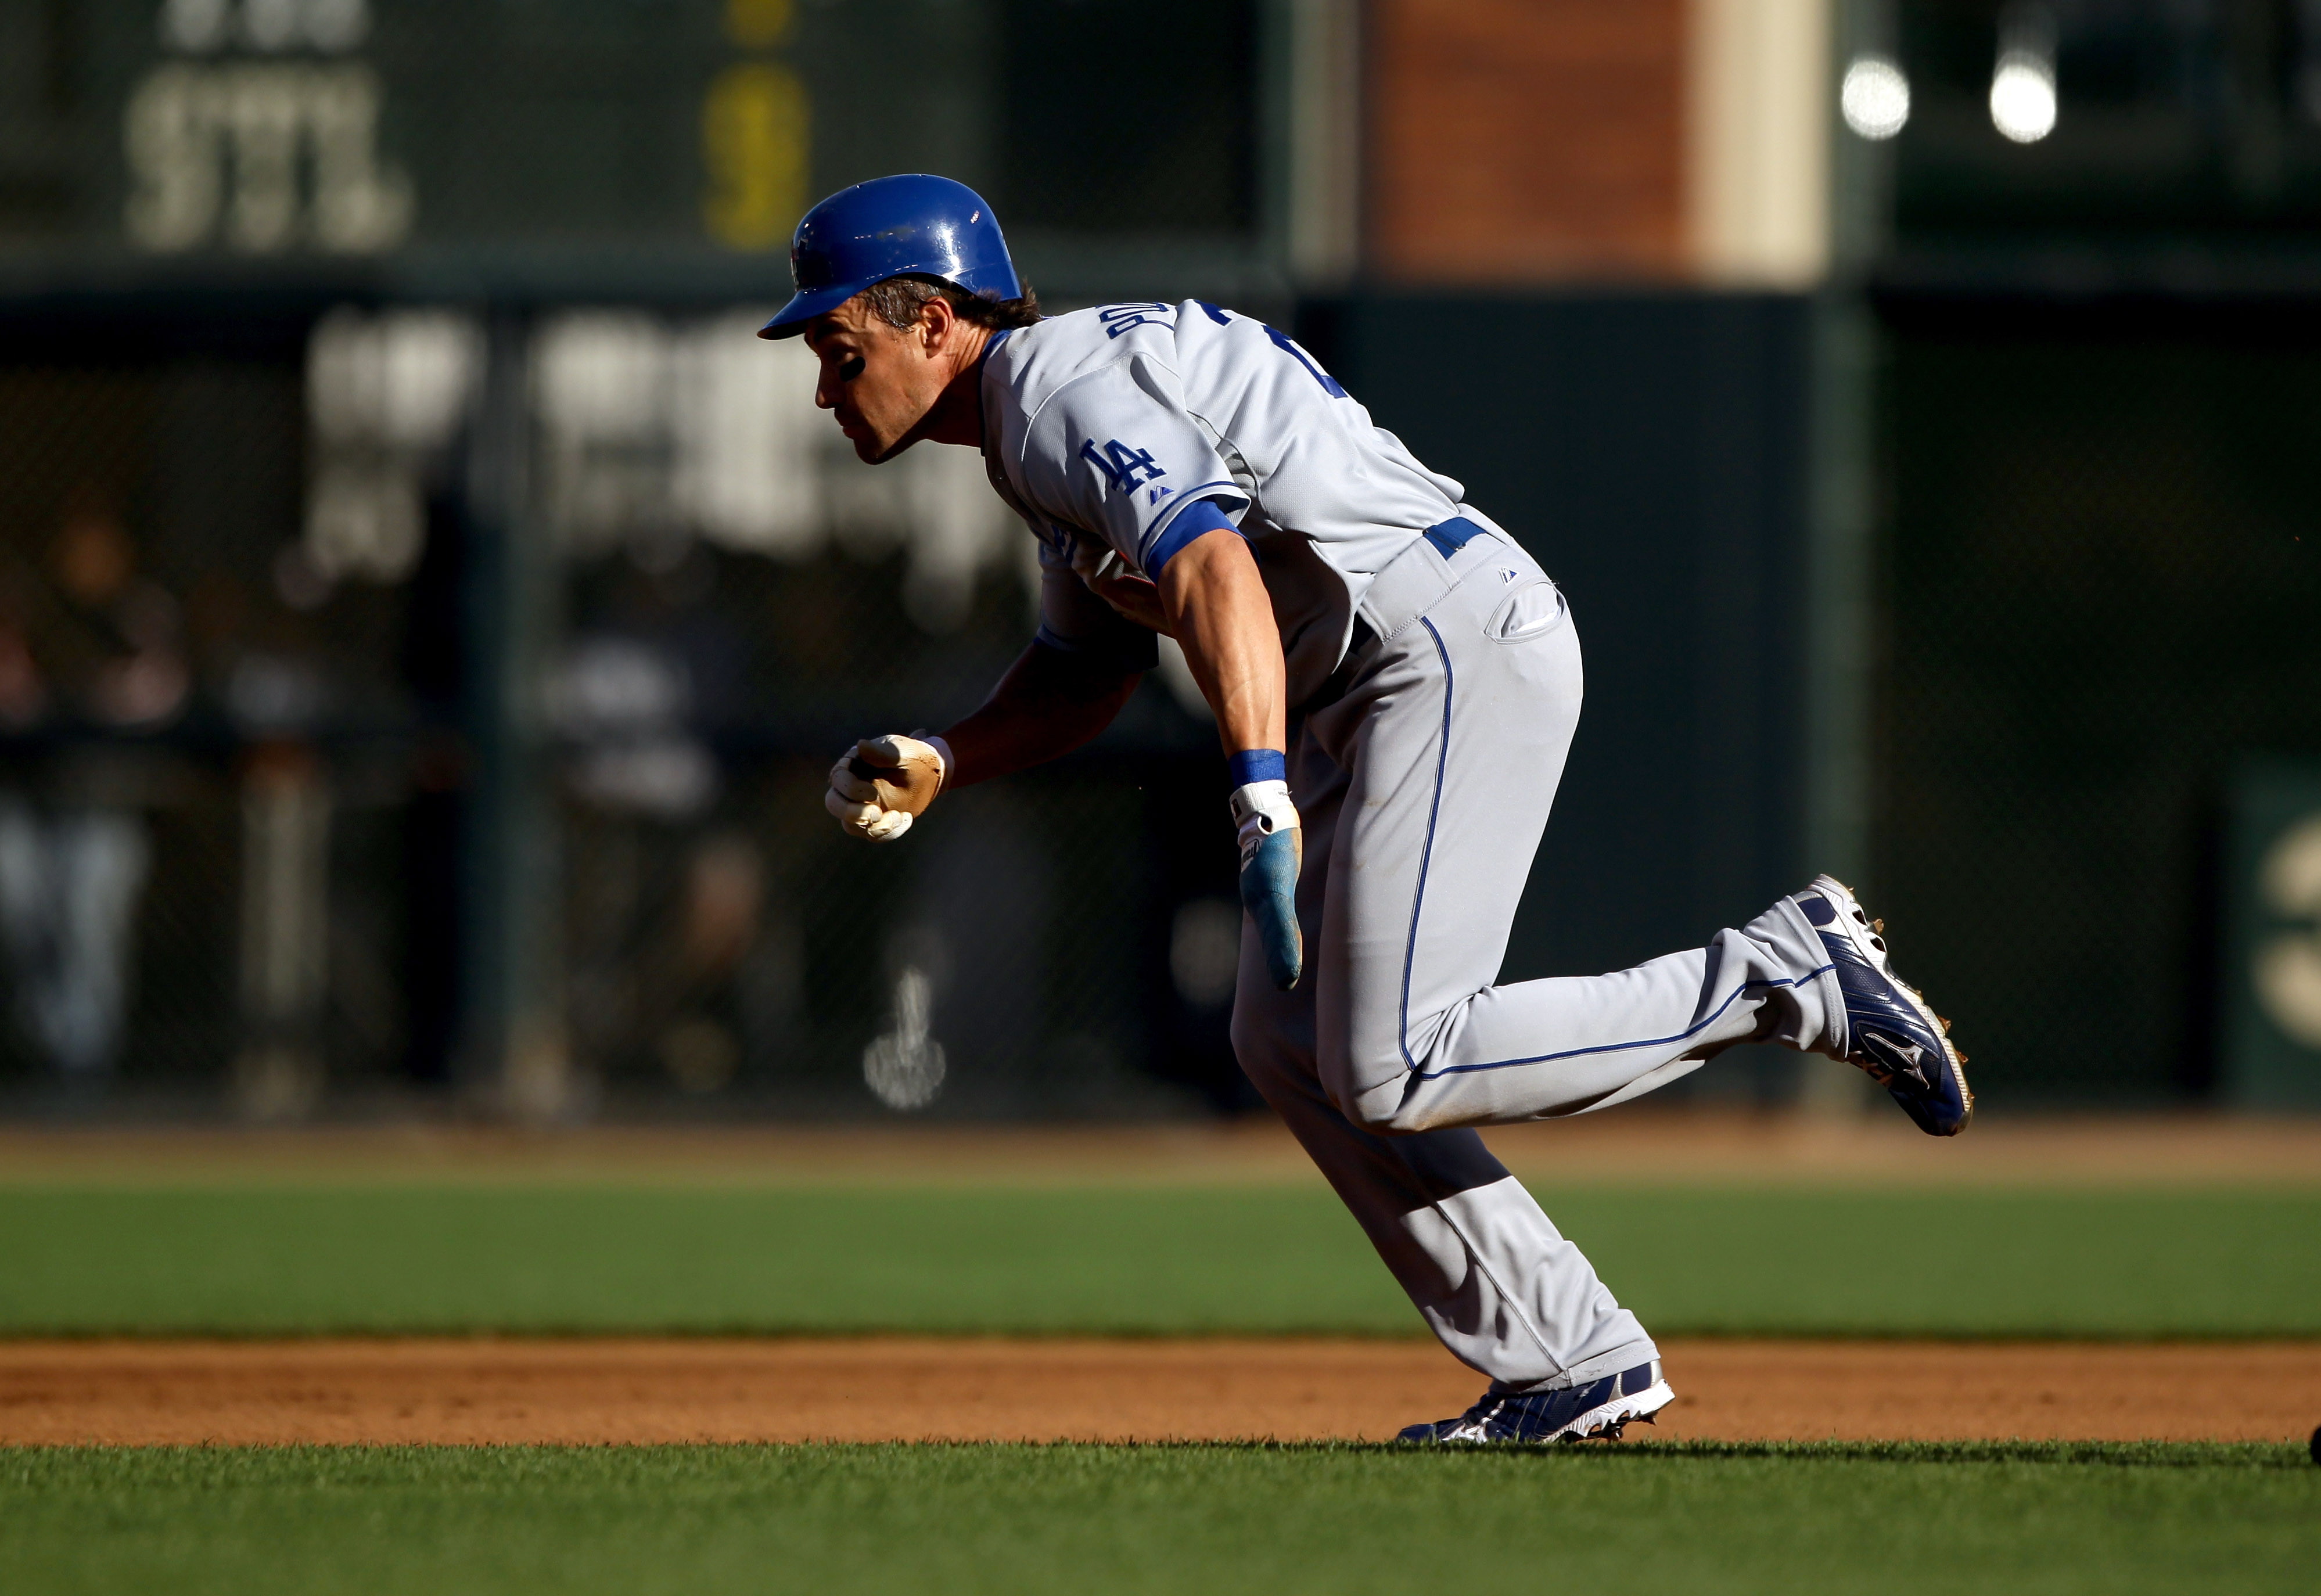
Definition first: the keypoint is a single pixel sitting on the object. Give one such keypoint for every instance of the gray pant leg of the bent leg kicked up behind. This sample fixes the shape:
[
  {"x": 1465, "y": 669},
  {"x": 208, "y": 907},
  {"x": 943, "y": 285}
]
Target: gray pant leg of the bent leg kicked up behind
[{"x": 1454, "y": 746}]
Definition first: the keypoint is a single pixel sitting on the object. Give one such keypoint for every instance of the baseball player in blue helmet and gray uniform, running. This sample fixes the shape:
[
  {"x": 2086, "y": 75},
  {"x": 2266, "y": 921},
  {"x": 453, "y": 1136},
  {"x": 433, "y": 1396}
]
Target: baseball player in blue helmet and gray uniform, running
[{"x": 1396, "y": 685}]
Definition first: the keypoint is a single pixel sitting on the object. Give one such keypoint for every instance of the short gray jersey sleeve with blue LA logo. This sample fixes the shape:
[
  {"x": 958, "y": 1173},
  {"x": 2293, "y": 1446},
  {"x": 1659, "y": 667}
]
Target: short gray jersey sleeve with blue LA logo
[{"x": 1118, "y": 454}]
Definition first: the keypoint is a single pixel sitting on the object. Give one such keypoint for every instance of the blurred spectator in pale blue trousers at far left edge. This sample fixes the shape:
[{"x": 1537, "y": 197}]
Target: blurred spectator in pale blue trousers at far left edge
[{"x": 94, "y": 648}]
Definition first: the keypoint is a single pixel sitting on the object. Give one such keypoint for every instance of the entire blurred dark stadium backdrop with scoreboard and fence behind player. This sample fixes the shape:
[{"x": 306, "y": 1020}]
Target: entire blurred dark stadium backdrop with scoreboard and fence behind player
[{"x": 428, "y": 614}]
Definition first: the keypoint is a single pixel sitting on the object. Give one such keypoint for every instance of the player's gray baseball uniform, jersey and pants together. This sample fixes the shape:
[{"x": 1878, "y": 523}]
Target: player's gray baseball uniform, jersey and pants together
[{"x": 1424, "y": 767}]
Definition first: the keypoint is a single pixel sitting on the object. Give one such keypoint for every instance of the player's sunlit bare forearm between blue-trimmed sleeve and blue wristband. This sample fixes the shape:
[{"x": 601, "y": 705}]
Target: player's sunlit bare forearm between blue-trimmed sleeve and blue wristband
[{"x": 1224, "y": 621}]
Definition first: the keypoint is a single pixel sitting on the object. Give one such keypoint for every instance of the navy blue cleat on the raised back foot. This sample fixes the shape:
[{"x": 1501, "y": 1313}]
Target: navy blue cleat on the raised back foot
[{"x": 1890, "y": 1031}]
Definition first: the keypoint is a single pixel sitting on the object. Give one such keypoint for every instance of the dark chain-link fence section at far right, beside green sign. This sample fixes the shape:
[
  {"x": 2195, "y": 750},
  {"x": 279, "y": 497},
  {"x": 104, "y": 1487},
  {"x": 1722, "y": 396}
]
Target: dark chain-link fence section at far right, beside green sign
[{"x": 2104, "y": 567}]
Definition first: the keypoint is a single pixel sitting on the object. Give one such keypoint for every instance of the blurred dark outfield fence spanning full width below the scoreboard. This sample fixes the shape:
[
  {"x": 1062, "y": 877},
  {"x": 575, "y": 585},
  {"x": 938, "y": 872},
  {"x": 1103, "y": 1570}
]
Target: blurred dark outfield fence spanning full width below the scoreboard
[{"x": 301, "y": 741}]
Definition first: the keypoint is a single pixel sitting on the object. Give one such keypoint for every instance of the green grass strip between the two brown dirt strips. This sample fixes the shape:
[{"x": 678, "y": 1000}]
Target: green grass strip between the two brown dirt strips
[{"x": 1122, "y": 1261}]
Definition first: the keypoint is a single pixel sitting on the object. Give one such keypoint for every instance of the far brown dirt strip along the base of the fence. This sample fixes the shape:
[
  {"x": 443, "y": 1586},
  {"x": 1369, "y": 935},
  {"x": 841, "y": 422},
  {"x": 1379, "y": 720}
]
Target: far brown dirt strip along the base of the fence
[{"x": 1640, "y": 1147}]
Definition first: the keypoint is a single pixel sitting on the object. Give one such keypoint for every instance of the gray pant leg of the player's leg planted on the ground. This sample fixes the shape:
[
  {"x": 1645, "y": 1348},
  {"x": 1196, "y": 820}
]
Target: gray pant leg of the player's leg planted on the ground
[{"x": 1487, "y": 1270}]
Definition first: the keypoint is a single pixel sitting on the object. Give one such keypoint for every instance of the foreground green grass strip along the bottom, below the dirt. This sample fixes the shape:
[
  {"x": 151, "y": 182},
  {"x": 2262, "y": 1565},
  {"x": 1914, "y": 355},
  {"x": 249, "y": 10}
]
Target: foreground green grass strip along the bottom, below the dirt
[{"x": 1032, "y": 1521}]
